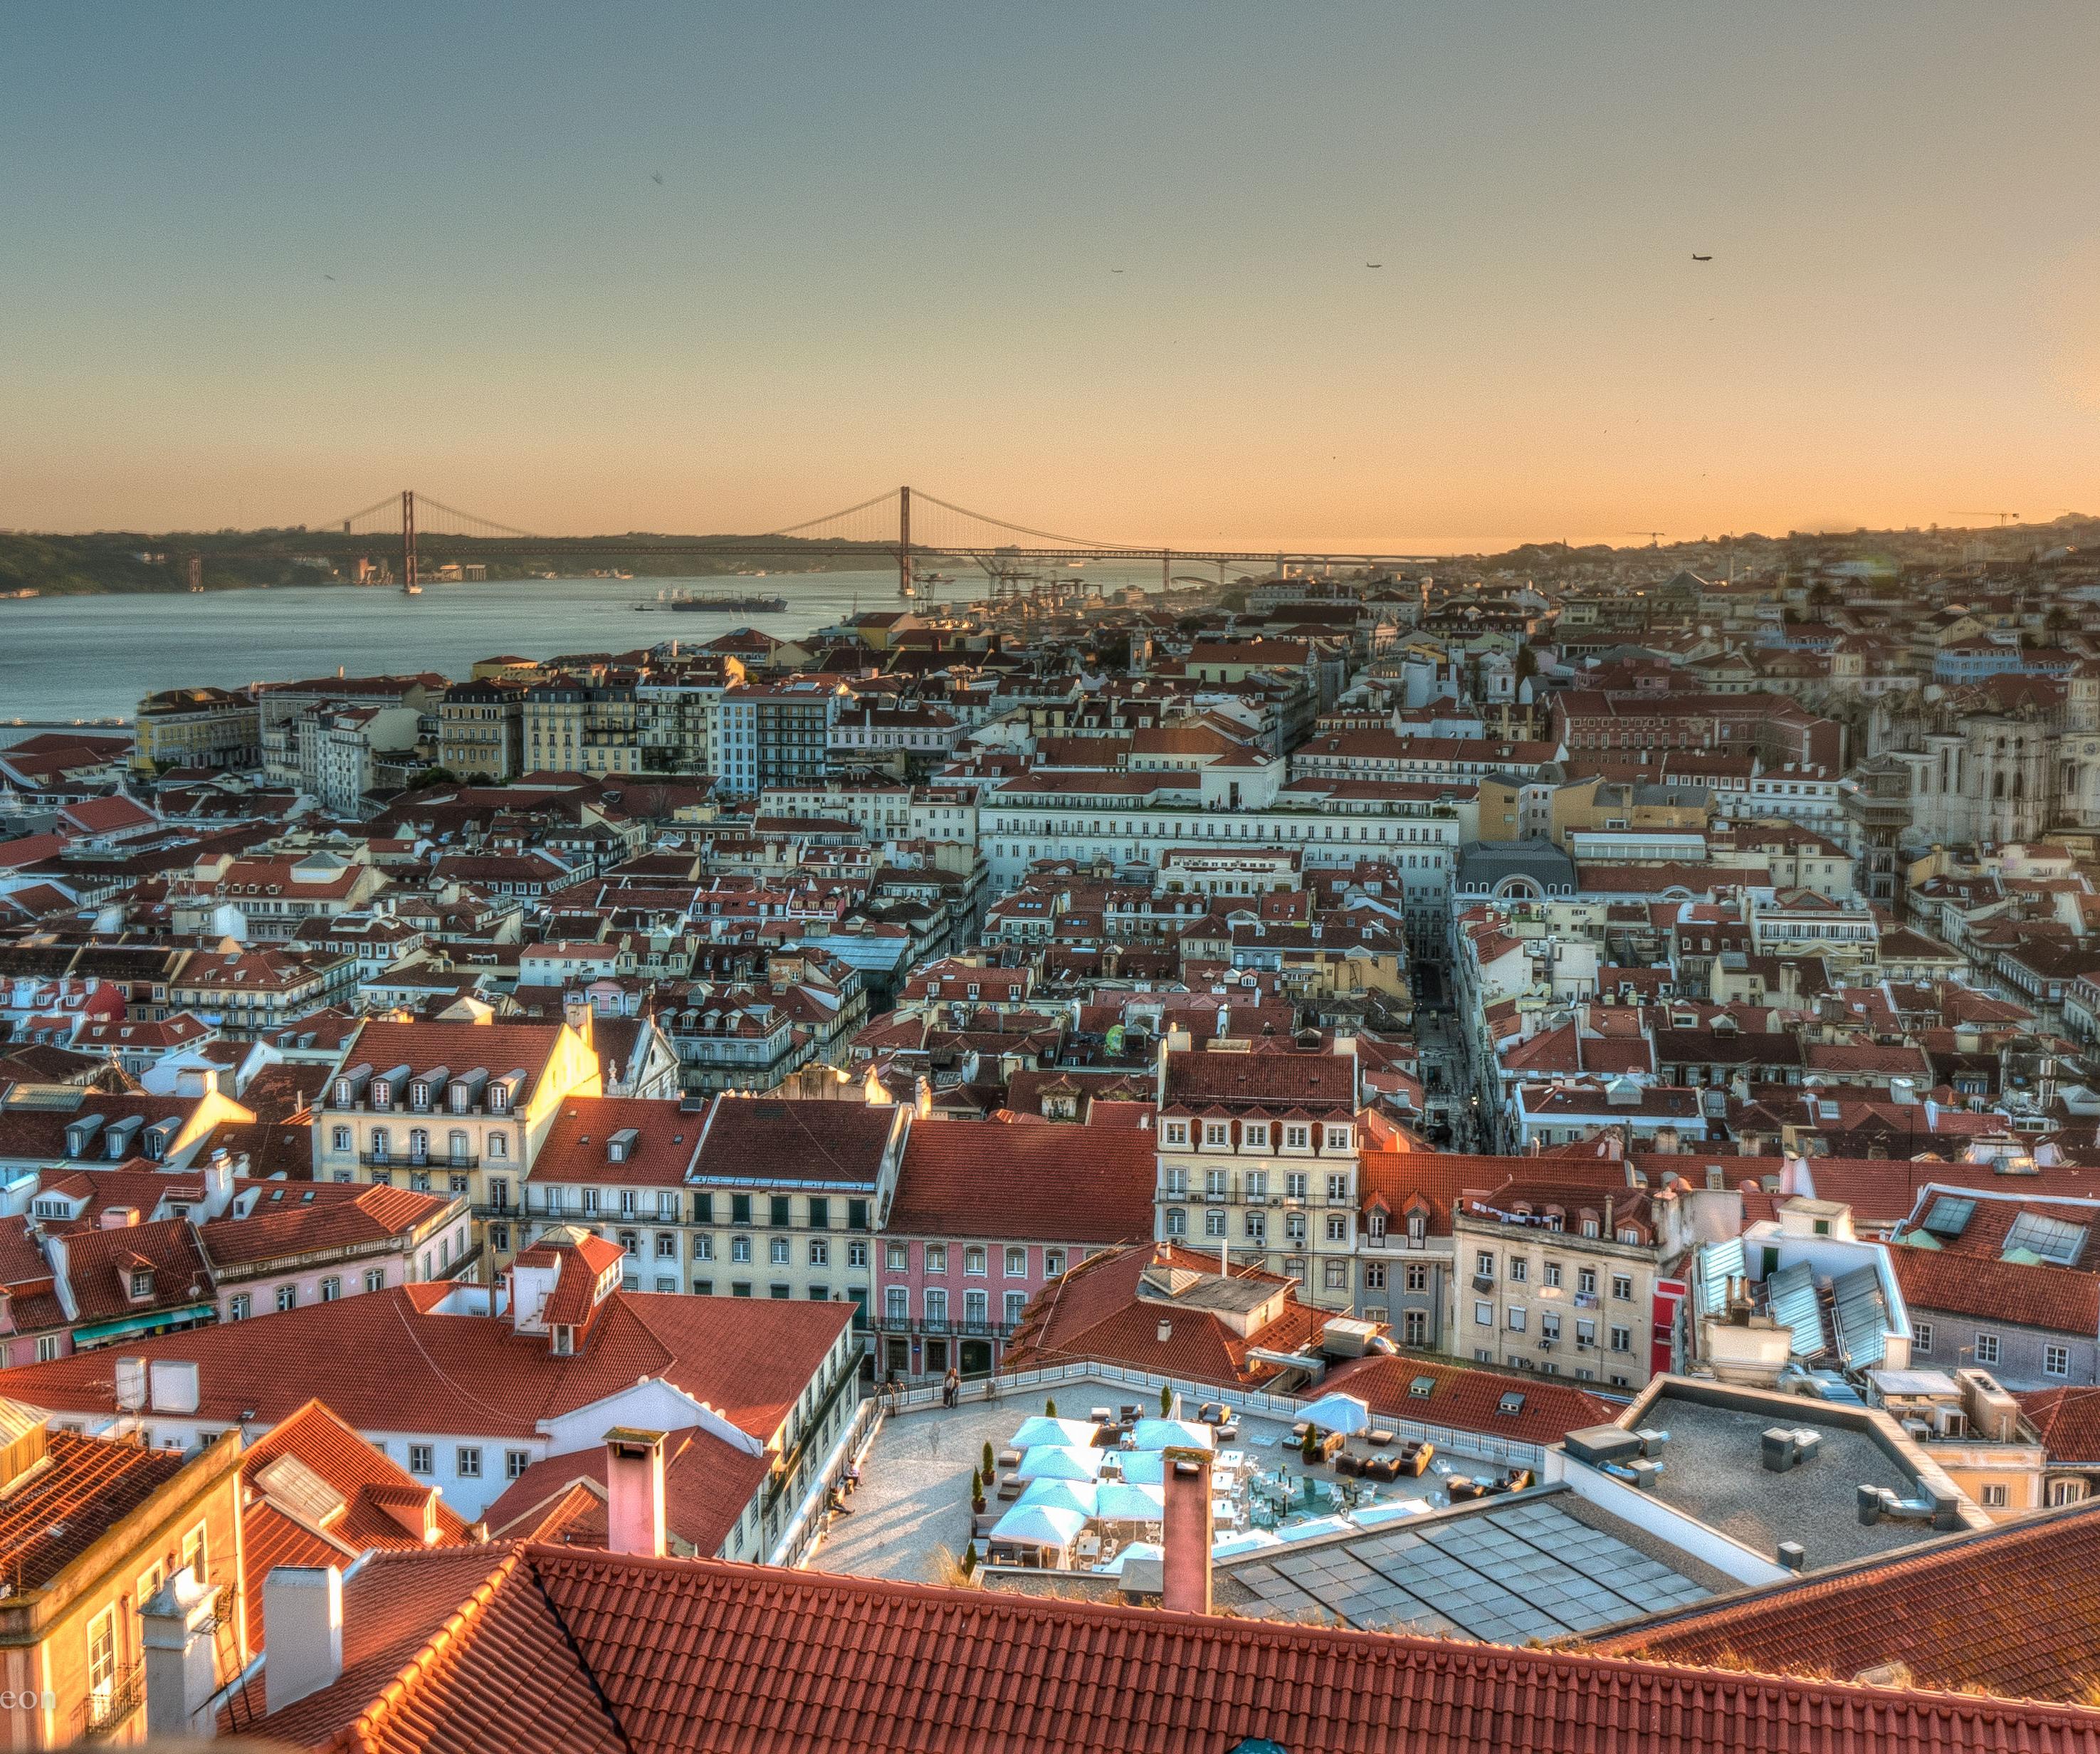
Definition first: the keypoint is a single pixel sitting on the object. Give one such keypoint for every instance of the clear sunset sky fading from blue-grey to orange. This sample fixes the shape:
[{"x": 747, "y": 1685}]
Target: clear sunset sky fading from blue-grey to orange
[{"x": 1089, "y": 268}]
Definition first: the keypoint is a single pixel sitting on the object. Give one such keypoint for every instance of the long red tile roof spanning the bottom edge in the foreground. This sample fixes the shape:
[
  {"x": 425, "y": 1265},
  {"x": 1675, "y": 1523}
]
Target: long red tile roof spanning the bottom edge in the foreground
[{"x": 558, "y": 1650}]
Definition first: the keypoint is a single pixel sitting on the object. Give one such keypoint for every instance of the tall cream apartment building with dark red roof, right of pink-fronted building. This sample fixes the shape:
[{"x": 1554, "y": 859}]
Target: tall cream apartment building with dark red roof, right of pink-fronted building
[{"x": 1259, "y": 1156}]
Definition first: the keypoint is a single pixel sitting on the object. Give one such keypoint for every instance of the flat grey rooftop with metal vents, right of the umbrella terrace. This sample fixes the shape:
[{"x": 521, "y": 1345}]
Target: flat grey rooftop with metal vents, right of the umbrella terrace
[{"x": 1715, "y": 1471}]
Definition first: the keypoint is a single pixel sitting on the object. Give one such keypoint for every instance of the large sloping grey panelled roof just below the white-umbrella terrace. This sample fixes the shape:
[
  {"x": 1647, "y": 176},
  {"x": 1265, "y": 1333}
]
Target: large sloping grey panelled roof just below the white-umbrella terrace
[{"x": 1511, "y": 1574}]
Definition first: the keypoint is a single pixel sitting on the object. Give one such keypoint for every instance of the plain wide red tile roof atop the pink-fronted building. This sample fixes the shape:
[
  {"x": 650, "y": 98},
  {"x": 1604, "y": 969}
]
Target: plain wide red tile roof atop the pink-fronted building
[{"x": 1030, "y": 1184}]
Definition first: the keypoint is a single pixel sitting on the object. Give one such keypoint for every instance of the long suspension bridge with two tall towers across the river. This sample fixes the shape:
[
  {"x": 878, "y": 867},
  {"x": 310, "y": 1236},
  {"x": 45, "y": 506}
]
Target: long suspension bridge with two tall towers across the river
[{"x": 904, "y": 528}]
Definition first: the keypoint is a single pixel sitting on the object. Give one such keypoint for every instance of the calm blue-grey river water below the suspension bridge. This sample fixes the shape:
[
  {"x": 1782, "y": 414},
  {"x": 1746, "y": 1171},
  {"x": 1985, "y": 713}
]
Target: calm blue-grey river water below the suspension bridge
[{"x": 96, "y": 656}]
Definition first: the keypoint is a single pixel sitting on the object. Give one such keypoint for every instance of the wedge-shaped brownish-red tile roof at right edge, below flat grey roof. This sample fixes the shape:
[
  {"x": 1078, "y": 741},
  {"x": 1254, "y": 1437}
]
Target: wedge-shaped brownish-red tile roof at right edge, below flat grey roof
[{"x": 2011, "y": 1610}]
